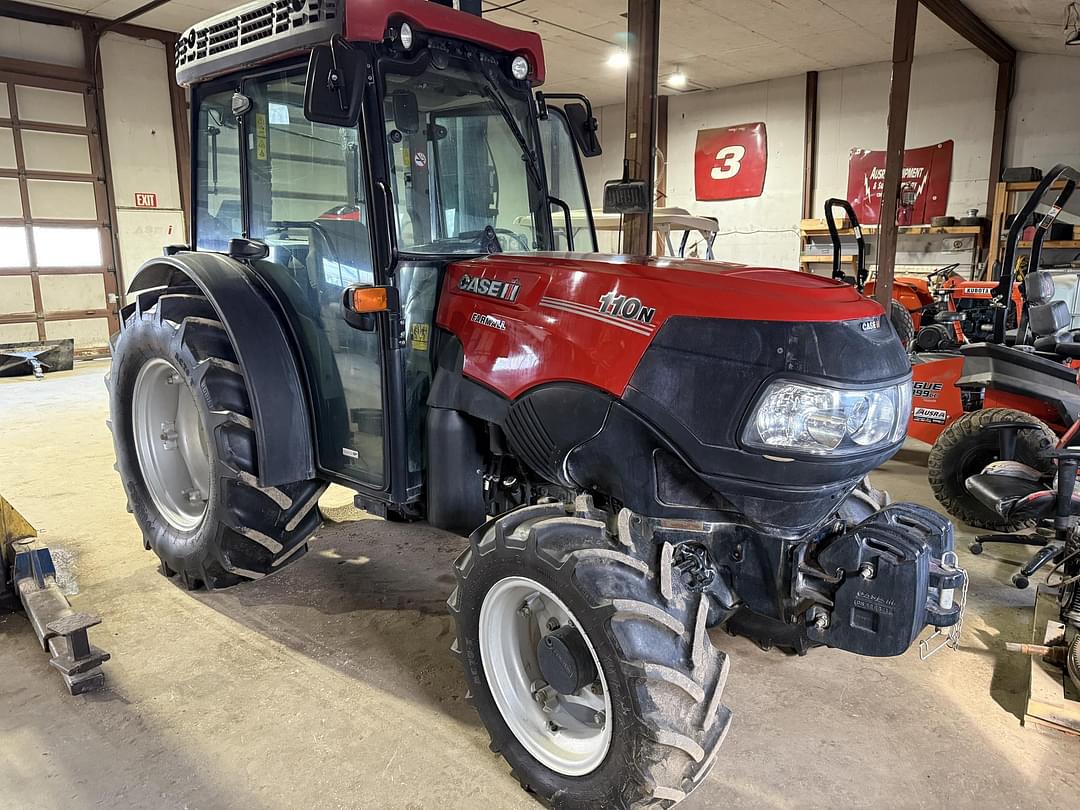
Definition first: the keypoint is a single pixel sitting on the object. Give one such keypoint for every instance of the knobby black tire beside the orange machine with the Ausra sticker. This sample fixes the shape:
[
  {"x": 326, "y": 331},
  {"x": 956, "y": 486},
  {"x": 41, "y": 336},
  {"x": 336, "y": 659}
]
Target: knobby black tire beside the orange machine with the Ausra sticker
[{"x": 967, "y": 447}]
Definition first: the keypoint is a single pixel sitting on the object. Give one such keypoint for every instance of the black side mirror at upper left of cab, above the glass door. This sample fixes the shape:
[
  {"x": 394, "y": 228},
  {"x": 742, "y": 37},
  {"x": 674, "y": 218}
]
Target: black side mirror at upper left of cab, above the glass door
[{"x": 335, "y": 85}]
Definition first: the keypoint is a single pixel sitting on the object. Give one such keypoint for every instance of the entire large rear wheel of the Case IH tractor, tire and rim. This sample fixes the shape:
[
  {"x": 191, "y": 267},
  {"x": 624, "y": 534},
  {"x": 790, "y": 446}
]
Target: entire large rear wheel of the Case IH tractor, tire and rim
[{"x": 183, "y": 430}]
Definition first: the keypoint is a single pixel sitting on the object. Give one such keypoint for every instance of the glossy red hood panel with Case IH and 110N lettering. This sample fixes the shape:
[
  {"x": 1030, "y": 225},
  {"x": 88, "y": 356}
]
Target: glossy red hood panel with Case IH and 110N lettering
[{"x": 529, "y": 320}]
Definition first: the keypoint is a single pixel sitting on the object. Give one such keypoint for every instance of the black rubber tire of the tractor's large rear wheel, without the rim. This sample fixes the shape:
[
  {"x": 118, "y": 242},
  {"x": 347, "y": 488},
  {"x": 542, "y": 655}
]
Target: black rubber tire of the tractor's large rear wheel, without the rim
[{"x": 248, "y": 532}]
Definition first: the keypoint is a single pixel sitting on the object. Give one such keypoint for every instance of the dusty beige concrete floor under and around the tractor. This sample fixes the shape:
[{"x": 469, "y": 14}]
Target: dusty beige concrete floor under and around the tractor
[{"x": 331, "y": 685}]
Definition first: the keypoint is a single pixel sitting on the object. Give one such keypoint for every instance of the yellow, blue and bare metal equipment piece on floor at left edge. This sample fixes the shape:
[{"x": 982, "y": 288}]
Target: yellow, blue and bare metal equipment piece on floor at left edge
[{"x": 29, "y": 579}]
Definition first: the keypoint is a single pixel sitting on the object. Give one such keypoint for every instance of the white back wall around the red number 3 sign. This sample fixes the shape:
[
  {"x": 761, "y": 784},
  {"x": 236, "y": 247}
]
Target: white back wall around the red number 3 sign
[{"x": 953, "y": 97}]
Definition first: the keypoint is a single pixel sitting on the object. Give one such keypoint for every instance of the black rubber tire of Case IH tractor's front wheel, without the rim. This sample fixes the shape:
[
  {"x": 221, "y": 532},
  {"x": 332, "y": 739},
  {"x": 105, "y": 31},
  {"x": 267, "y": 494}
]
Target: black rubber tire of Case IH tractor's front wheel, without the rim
[{"x": 666, "y": 679}]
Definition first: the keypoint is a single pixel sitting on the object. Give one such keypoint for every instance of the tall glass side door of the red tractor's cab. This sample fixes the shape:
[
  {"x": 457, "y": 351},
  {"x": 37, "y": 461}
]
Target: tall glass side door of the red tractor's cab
[{"x": 306, "y": 196}]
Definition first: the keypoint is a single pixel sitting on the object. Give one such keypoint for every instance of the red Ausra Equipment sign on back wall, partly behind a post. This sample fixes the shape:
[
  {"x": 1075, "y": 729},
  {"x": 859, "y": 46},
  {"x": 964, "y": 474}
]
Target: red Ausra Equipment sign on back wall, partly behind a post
[{"x": 924, "y": 186}]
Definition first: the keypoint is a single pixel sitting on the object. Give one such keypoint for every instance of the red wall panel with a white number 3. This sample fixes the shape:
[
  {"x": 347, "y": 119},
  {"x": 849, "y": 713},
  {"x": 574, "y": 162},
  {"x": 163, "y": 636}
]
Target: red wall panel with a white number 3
[{"x": 731, "y": 164}]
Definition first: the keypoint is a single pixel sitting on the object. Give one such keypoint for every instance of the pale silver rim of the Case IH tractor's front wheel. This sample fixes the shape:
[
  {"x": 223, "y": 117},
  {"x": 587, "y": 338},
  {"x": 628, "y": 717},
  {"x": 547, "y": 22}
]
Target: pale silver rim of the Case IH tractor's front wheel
[{"x": 571, "y": 735}]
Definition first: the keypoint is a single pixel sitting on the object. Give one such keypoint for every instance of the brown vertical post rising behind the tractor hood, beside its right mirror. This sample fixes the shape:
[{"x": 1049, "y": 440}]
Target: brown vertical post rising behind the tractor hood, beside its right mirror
[{"x": 643, "y": 49}]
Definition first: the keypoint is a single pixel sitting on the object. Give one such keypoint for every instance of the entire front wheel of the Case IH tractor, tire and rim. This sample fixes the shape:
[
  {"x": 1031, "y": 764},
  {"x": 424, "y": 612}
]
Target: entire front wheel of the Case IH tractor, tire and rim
[{"x": 659, "y": 681}]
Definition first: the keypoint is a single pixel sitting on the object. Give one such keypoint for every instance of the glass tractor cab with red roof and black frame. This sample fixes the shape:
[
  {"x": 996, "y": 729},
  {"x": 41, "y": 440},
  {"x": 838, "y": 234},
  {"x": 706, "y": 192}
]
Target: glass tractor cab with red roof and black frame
[{"x": 369, "y": 145}]
